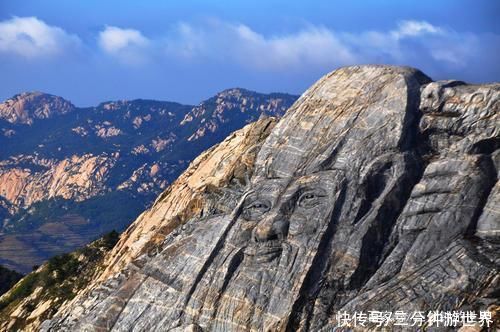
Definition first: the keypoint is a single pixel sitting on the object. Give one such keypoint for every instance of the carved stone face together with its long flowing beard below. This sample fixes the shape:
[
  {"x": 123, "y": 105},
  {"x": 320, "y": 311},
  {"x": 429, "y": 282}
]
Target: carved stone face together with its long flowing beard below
[{"x": 280, "y": 225}]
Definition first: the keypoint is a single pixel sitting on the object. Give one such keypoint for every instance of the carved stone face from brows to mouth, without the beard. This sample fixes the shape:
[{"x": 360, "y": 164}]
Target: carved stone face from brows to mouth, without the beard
[{"x": 281, "y": 213}]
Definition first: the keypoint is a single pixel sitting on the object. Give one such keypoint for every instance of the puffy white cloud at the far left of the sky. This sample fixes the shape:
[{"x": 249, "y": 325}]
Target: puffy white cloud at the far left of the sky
[{"x": 30, "y": 37}]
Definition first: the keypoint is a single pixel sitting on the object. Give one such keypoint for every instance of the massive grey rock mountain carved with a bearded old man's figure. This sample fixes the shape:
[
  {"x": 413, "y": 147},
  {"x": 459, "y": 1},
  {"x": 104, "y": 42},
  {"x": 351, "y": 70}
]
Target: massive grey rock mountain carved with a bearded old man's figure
[{"x": 378, "y": 190}]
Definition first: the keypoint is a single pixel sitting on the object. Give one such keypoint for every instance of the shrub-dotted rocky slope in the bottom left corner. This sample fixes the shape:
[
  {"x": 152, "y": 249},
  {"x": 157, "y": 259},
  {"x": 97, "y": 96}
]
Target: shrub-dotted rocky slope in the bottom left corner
[{"x": 38, "y": 295}]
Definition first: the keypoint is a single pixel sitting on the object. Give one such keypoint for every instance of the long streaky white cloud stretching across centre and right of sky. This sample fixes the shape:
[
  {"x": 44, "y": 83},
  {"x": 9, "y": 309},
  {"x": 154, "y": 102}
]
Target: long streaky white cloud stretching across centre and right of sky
[{"x": 410, "y": 43}]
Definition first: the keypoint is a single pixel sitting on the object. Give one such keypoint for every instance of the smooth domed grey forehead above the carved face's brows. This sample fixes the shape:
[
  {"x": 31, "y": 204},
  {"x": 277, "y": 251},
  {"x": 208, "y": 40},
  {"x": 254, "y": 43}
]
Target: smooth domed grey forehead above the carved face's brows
[{"x": 336, "y": 119}]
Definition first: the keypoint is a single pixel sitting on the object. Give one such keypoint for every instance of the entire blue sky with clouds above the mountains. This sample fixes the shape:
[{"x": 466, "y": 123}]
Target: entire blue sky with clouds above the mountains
[{"x": 90, "y": 51}]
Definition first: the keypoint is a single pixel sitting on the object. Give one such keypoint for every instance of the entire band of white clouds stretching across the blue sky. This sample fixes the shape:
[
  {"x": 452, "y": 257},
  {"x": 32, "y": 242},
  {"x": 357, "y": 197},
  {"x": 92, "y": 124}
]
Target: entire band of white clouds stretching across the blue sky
[{"x": 222, "y": 42}]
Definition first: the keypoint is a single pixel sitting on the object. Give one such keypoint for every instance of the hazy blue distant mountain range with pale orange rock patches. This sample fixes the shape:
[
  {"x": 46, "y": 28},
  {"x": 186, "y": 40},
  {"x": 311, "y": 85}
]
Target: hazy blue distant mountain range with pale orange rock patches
[{"x": 70, "y": 174}]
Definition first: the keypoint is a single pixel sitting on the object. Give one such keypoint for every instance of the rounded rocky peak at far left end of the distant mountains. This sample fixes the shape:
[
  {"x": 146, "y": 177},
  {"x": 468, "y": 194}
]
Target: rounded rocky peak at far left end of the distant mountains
[{"x": 24, "y": 108}]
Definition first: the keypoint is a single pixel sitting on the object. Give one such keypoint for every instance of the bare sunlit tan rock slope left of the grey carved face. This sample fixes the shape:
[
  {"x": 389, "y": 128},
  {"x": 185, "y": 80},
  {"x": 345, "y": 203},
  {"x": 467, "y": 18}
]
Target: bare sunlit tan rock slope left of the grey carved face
[{"x": 197, "y": 192}]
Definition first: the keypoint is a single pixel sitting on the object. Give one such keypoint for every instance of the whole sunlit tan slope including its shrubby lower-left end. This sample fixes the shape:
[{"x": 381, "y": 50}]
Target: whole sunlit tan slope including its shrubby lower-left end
[{"x": 223, "y": 164}]
